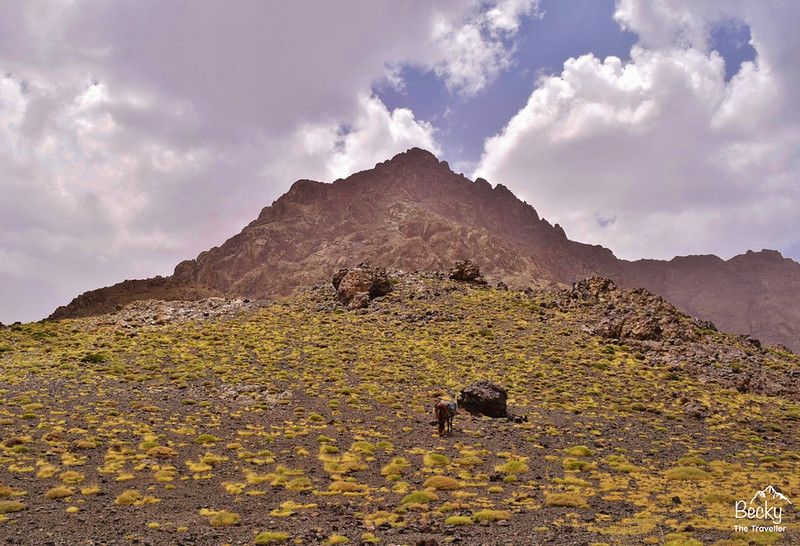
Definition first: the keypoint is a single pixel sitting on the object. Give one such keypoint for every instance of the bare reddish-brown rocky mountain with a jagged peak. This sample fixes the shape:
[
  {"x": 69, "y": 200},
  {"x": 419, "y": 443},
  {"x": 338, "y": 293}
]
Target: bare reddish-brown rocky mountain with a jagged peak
[{"x": 414, "y": 213}]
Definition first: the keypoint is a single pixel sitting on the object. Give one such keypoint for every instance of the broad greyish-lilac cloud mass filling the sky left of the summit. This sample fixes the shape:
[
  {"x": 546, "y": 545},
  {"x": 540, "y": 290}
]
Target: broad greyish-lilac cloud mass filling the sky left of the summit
[{"x": 135, "y": 135}]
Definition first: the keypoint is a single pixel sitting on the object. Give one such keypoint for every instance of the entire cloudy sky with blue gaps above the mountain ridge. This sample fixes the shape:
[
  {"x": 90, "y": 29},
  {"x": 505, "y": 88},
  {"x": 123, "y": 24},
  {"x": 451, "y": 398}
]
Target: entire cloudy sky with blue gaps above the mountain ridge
[{"x": 134, "y": 135}]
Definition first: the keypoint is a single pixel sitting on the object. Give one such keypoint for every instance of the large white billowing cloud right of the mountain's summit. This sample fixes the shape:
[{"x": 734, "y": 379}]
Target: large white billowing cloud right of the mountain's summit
[{"x": 684, "y": 162}]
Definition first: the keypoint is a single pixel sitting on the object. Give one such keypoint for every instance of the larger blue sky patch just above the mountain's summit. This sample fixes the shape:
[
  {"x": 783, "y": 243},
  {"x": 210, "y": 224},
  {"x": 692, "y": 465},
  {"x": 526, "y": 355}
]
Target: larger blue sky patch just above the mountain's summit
[{"x": 567, "y": 29}]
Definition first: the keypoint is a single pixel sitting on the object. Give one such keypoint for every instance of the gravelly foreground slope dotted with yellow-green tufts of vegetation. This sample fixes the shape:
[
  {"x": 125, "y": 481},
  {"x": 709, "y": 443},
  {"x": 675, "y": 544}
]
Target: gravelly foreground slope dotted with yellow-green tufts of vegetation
[{"x": 308, "y": 415}]
